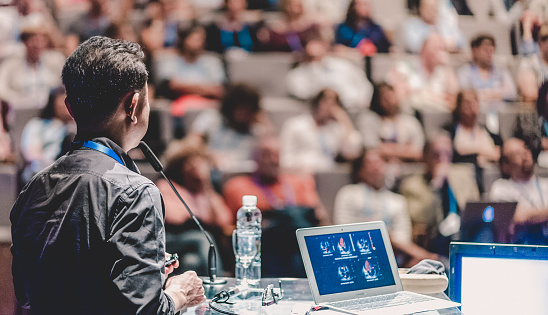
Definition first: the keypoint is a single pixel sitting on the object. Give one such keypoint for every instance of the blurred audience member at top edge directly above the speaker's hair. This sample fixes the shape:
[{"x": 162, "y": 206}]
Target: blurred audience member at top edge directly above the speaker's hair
[{"x": 94, "y": 21}]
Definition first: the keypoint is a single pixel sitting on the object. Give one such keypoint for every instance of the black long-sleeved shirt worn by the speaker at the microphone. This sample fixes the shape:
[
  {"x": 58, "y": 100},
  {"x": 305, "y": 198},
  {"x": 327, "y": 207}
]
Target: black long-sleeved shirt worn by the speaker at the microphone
[{"x": 88, "y": 238}]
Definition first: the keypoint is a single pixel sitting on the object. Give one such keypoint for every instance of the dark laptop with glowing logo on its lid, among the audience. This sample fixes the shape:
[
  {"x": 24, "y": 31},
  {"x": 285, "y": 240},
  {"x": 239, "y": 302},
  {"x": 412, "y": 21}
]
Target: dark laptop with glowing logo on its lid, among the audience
[{"x": 487, "y": 222}]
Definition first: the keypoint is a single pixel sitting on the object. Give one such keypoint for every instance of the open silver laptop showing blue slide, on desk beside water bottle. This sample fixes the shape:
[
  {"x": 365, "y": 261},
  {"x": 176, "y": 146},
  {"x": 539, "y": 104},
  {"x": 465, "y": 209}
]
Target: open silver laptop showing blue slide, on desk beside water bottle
[{"x": 352, "y": 268}]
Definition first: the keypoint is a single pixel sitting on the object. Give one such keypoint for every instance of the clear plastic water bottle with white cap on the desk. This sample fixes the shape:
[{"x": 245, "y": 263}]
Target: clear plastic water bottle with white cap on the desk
[{"x": 248, "y": 224}]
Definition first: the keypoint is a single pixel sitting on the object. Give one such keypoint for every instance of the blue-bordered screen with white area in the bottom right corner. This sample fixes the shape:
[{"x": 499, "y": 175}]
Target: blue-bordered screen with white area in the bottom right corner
[{"x": 499, "y": 278}]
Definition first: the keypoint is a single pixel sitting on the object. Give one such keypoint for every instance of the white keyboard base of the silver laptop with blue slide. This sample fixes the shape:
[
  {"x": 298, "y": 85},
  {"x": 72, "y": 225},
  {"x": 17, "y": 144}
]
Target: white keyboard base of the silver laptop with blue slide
[{"x": 381, "y": 301}]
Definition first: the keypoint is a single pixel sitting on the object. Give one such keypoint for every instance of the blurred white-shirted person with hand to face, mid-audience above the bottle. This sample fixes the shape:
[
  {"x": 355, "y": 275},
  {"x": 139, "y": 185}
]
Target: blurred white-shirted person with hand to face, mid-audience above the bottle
[{"x": 315, "y": 141}]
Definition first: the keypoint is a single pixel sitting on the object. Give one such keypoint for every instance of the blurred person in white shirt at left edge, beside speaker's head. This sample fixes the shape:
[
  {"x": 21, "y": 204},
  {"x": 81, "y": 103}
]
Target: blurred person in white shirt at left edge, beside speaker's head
[{"x": 26, "y": 81}]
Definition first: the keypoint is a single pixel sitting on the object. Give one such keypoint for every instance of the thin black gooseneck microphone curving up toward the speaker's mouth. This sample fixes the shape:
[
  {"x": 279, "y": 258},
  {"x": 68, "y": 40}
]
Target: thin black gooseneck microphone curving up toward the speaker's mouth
[{"x": 212, "y": 257}]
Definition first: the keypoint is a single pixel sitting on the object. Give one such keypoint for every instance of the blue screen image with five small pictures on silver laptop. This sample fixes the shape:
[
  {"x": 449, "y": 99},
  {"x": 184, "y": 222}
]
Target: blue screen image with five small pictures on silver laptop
[{"x": 350, "y": 261}]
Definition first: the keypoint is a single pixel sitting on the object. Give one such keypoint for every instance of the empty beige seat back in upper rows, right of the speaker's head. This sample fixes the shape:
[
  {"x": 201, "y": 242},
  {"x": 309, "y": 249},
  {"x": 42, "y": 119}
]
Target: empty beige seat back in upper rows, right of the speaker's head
[{"x": 266, "y": 71}]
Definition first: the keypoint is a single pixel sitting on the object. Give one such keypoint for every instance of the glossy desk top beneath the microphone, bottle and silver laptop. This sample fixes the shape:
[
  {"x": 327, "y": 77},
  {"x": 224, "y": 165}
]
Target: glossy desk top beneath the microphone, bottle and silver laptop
[{"x": 295, "y": 290}]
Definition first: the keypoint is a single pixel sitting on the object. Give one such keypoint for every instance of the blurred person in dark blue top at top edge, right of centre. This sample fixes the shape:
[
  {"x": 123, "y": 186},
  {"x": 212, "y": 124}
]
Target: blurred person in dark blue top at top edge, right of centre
[{"x": 359, "y": 28}]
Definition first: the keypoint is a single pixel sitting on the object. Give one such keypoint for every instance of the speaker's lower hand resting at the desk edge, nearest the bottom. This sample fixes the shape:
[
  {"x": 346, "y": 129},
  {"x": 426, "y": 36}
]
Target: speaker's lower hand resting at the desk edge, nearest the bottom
[{"x": 185, "y": 290}]
